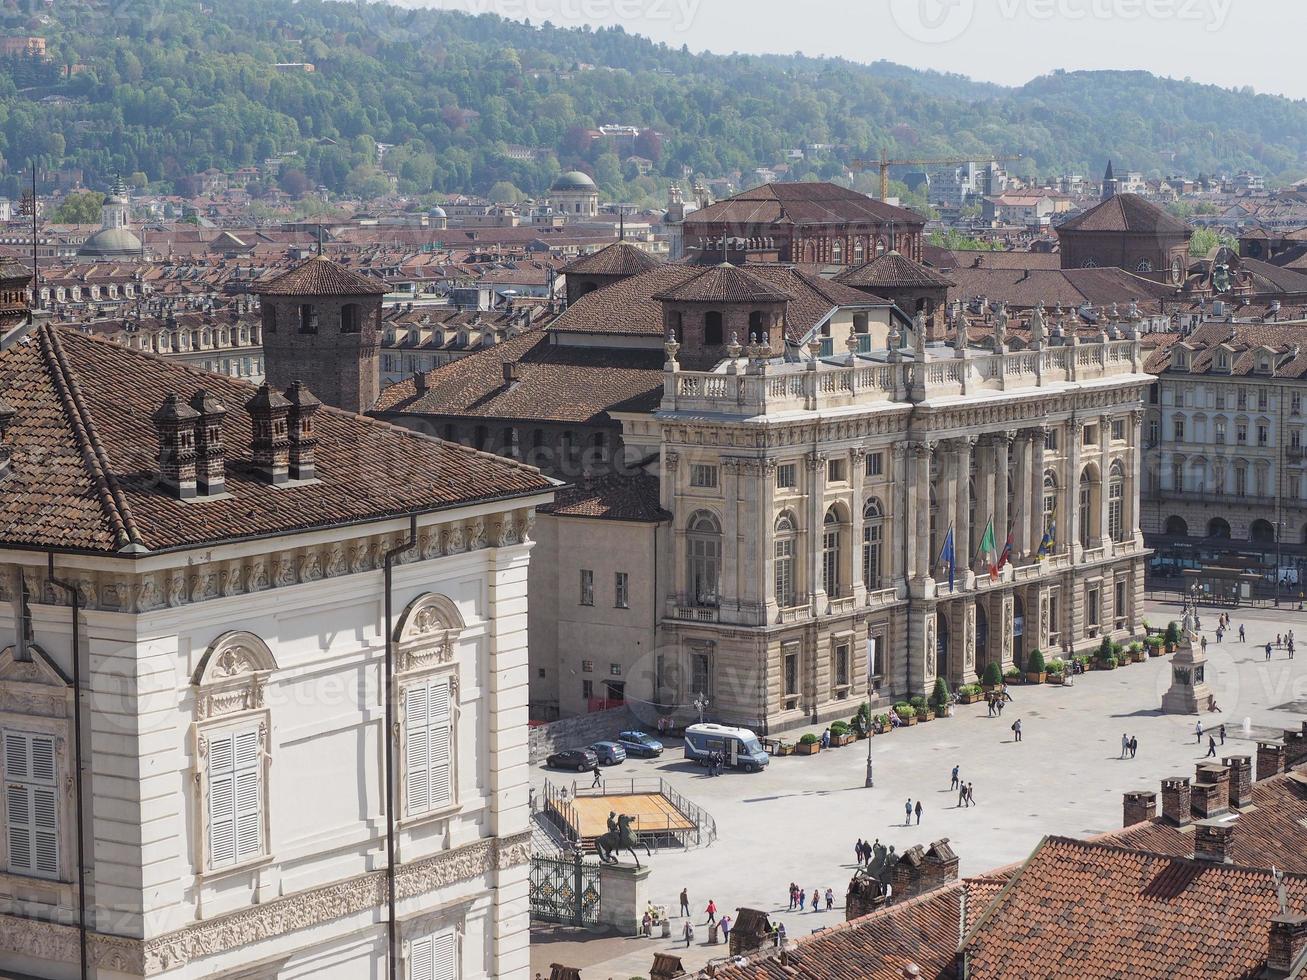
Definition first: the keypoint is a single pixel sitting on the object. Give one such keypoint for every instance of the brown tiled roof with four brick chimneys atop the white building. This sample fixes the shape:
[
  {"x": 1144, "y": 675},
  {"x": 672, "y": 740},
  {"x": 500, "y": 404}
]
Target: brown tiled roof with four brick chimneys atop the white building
[{"x": 86, "y": 458}]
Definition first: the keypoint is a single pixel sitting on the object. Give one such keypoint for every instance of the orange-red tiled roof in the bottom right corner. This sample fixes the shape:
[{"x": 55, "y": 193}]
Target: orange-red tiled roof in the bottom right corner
[{"x": 1101, "y": 911}]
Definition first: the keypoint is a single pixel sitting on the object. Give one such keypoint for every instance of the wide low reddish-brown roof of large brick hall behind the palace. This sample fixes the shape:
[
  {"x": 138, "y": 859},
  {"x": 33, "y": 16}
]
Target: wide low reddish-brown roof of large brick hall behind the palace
[{"x": 801, "y": 204}]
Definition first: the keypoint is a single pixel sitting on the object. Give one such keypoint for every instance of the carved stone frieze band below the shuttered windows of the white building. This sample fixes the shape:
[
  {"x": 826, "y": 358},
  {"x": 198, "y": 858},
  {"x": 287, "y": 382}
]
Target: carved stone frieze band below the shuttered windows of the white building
[{"x": 54, "y": 943}]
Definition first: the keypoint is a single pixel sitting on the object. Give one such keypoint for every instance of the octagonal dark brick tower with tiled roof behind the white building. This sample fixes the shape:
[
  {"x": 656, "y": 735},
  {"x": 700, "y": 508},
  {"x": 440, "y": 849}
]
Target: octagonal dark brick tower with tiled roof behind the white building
[{"x": 322, "y": 326}]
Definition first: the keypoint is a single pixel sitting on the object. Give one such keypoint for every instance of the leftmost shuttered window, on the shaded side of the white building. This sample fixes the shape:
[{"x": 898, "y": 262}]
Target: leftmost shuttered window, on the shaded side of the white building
[{"x": 32, "y": 804}]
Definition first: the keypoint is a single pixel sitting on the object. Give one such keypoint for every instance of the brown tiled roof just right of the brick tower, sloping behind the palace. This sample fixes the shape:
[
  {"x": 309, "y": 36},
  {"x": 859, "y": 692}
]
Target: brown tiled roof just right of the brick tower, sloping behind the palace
[{"x": 556, "y": 384}]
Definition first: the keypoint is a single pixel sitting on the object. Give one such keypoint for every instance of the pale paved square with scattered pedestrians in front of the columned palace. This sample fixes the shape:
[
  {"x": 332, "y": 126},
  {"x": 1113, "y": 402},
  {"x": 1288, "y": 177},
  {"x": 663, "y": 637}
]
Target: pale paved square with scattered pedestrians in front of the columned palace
[{"x": 799, "y": 820}]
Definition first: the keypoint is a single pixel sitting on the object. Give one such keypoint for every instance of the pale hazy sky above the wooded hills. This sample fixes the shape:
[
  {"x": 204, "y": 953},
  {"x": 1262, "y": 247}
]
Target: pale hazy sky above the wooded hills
[{"x": 1227, "y": 42}]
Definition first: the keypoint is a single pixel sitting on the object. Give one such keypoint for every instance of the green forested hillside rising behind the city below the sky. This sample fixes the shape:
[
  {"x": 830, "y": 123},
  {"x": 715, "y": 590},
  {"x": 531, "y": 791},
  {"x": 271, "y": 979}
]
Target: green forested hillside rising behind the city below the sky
[{"x": 164, "y": 90}]
